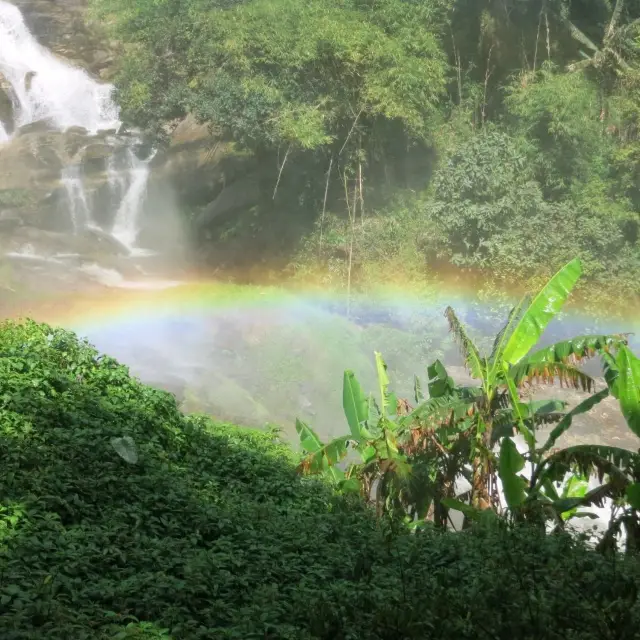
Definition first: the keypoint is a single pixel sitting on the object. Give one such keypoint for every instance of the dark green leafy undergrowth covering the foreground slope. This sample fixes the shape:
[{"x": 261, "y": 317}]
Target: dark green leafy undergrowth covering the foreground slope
[{"x": 121, "y": 517}]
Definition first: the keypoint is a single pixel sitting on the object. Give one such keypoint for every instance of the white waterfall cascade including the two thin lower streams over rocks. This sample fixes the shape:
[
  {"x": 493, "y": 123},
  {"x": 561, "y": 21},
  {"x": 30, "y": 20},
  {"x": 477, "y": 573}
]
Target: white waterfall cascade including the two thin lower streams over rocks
[{"x": 43, "y": 88}]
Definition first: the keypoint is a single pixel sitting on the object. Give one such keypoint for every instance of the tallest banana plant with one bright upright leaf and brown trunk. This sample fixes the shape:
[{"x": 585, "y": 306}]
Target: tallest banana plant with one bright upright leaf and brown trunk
[{"x": 495, "y": 407}]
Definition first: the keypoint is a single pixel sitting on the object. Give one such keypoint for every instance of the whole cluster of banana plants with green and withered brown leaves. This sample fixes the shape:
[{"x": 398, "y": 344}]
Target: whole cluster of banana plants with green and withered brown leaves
[{"x": 412, "y": 459}]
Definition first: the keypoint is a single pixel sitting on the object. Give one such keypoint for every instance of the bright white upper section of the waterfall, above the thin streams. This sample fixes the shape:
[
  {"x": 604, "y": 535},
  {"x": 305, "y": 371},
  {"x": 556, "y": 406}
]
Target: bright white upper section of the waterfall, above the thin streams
[{"x": 47, "y": 88}]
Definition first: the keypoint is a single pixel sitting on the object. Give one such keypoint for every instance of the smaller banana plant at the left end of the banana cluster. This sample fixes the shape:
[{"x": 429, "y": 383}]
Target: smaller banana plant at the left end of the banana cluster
[{"x": 374, "y": 430}]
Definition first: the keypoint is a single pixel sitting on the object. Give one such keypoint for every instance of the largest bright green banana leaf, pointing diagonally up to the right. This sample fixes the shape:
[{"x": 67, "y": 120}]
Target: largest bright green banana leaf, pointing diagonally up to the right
[{"x": 544, "y": 306}]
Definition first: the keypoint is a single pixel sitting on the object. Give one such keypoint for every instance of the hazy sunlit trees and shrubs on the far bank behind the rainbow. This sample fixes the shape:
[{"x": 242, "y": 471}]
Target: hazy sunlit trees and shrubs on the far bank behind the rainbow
[{"x": 500, "y": 136}]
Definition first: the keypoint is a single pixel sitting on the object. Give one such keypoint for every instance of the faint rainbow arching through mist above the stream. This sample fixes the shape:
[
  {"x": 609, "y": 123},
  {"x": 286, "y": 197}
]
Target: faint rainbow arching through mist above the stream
[{"x": 150, "y": 304}]
